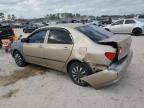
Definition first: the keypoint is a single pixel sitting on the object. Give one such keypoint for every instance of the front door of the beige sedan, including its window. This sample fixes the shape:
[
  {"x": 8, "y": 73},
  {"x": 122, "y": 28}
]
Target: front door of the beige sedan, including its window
[{"x": 33, "y": 49}]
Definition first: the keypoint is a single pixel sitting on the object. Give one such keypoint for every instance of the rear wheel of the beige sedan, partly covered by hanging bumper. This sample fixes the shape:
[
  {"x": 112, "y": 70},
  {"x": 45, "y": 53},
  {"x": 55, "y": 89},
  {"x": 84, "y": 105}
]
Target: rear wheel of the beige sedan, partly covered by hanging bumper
[{"x": 78, "y": 70}]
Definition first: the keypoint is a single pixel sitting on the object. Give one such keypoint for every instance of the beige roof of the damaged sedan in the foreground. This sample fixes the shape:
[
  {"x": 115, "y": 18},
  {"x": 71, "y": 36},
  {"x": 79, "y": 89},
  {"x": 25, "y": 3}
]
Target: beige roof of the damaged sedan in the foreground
[{"x": 69, "y": 25}]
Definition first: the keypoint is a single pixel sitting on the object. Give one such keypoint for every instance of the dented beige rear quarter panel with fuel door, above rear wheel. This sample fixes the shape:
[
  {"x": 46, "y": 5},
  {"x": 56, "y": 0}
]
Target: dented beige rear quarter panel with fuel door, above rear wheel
[{"x": 85, "y": 50}]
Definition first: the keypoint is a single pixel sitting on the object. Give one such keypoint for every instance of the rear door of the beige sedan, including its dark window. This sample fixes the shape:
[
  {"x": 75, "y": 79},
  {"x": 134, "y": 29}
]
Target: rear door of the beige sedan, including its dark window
[{"x": 58, "y": 48}]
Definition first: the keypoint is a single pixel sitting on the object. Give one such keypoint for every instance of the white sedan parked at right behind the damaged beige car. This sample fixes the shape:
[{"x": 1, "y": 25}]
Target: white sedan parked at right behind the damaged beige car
[{"x": 130, "y": 26}]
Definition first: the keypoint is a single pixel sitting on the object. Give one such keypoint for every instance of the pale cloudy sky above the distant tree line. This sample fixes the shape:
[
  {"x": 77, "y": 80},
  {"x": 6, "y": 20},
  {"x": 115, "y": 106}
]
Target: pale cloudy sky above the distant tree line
[{"x": 39, "y": 8}]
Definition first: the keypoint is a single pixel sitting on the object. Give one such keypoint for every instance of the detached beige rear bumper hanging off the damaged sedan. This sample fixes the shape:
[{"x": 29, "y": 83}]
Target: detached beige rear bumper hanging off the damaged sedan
[{"x": 110, "y": 75}]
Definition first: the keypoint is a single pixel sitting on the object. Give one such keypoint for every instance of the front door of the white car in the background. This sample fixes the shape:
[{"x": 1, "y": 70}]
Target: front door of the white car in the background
[{"x": 117, "y": 27}]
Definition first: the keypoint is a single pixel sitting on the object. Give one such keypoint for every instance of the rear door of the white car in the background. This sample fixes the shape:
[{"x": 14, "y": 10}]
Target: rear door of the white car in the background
[{"x": 128, "y": 26}]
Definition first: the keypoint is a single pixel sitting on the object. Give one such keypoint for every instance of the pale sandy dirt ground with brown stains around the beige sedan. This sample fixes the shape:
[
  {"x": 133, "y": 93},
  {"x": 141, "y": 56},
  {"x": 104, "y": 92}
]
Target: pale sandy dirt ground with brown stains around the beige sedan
[{"x": 38, "y": 87}]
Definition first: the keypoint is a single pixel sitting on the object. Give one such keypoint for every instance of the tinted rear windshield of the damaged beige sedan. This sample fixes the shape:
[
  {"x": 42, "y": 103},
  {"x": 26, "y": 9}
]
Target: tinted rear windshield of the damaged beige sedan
[{"x": 94, "y": 33}]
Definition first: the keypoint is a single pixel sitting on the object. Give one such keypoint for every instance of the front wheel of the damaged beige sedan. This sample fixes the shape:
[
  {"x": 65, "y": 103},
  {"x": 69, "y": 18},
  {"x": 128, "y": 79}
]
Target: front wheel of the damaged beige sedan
[{"x": 19, "y": 59}]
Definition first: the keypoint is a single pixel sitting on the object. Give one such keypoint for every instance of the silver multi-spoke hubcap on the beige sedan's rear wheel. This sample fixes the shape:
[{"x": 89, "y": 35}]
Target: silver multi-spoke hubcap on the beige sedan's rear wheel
[{"x": 77, "y": 73}]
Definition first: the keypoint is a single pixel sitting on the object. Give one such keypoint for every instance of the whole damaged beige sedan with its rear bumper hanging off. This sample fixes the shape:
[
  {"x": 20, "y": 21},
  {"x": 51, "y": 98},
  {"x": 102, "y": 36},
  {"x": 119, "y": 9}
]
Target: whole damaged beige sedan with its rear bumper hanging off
[{"x": 89, "y": 54}]
